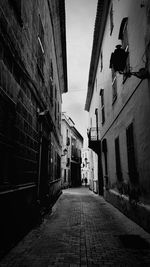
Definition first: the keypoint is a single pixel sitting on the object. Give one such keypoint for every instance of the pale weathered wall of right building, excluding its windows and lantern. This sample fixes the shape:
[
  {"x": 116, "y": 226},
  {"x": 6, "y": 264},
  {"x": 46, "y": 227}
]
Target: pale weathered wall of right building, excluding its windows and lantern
[{"x": 132, "y": 105}]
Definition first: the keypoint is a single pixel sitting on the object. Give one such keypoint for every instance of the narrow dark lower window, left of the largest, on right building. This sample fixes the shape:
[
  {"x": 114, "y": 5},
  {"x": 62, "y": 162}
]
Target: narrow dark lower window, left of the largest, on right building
[{"x": 118, "y": 161}]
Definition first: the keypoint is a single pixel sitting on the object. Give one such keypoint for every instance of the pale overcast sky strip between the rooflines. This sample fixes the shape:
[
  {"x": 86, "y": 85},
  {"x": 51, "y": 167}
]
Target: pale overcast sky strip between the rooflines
[{"x": 80, "y": 20}]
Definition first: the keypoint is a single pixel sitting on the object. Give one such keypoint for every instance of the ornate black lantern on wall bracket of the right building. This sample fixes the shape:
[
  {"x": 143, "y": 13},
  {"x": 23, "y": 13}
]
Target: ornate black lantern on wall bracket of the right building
[{"x": 118, "y": 63}]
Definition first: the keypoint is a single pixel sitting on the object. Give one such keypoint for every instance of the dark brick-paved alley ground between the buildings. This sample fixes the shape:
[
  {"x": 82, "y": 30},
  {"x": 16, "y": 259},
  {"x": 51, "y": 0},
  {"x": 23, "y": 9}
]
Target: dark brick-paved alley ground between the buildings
[{"x": 83, "y": 230}]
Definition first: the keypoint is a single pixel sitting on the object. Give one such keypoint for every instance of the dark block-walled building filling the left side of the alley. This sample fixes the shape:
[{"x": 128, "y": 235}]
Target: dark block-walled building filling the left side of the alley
[{"x": 33, "y": 75}]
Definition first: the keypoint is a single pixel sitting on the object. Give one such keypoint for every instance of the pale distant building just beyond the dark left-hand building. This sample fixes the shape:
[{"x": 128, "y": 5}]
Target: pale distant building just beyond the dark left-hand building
[{"x": 71, "y": 153}]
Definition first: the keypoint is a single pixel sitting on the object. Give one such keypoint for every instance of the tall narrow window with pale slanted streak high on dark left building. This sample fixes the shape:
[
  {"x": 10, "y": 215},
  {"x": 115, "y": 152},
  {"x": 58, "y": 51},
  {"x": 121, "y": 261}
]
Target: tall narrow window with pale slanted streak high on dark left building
[{"x": 40, "y": 56}]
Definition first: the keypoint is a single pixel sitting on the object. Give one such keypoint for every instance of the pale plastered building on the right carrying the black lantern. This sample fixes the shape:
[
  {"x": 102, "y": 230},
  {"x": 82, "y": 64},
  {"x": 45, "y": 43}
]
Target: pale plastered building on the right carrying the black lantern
[{"x": 118, "y": 98}]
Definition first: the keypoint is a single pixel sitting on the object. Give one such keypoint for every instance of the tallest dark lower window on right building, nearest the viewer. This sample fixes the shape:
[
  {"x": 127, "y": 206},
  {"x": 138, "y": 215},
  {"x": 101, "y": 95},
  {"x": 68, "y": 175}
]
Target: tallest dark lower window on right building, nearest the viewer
[{"x": 131, "y": 153}]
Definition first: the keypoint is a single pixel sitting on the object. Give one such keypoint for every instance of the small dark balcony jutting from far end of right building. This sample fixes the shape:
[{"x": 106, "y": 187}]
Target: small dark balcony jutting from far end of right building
[{"x": 94, "y": 139}]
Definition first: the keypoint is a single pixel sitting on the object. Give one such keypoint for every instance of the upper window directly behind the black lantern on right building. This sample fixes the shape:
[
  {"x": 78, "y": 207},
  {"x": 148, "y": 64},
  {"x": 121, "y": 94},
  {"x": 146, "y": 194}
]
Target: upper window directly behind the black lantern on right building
[{"x": 123, "y": 36}]
